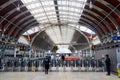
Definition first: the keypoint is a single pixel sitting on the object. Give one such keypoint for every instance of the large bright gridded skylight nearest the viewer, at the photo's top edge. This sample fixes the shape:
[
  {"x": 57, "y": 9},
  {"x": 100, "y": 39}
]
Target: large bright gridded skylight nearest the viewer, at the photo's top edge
[{"x": 55, "y": 11}]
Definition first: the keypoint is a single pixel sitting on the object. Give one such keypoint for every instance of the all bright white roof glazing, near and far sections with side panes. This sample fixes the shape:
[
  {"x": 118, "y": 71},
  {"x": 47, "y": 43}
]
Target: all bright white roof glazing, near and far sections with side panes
[{"x": 59, "y": 15}]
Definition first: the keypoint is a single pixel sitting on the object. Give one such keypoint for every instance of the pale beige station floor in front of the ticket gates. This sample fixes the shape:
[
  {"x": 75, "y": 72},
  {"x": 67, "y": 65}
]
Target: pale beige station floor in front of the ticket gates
[{"x": 56, "y": 76}]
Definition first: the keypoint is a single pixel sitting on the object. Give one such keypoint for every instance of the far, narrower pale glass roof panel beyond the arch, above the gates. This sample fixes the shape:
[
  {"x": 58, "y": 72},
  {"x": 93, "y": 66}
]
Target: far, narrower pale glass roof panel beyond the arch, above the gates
[{"x": 61, "y": 34}]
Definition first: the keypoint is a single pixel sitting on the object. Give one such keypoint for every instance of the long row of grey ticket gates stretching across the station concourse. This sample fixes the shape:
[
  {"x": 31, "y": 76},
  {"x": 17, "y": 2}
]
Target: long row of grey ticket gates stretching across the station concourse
[{"x": 56, "y": 65}]
